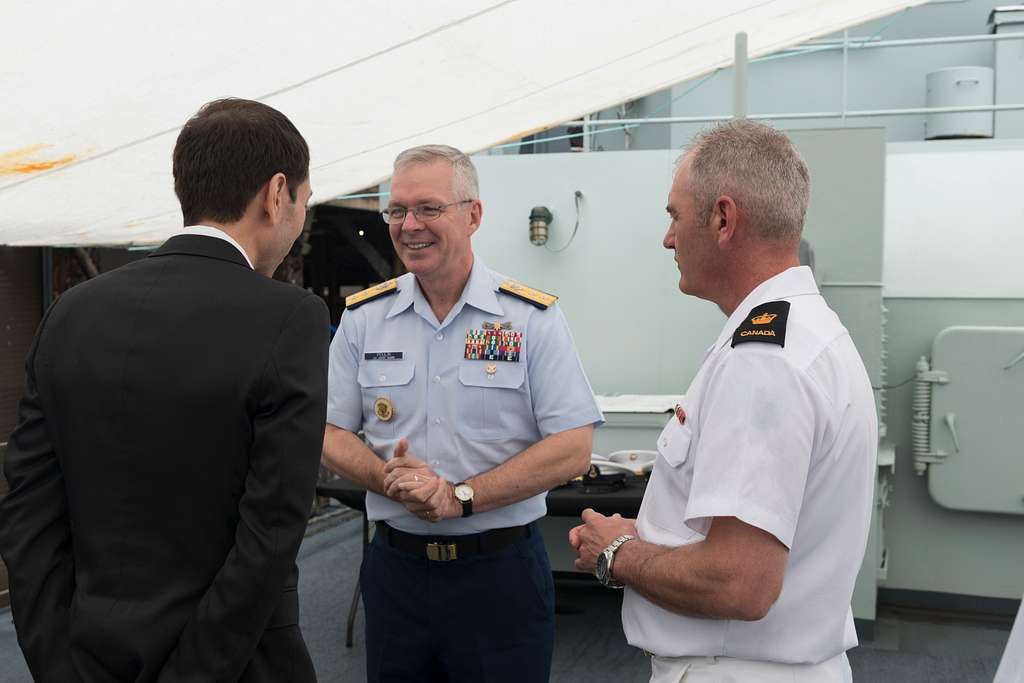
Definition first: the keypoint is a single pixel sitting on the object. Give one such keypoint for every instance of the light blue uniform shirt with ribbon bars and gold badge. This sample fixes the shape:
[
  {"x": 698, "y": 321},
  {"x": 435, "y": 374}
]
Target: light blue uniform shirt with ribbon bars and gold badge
[{"x": 458, "y": 418}]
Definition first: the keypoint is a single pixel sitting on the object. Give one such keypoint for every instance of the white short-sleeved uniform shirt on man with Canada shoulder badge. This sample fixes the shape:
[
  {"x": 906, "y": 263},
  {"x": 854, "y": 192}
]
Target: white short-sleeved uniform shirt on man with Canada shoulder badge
[{"x": 784, "y": 439}]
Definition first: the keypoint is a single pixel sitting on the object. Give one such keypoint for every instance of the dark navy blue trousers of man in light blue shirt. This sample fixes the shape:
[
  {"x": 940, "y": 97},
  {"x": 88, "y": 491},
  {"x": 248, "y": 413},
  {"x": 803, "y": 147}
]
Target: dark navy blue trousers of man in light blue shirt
[{"x": 487, "y": 619}]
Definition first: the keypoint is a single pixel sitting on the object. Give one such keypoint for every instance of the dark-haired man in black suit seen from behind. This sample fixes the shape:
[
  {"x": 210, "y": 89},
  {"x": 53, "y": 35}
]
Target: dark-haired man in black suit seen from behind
[{"x": 167, "y": 447}]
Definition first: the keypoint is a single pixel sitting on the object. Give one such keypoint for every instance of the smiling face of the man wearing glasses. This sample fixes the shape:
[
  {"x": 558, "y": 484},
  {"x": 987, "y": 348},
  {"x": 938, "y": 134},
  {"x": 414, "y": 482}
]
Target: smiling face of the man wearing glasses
[{"x": 439, "y": 249}]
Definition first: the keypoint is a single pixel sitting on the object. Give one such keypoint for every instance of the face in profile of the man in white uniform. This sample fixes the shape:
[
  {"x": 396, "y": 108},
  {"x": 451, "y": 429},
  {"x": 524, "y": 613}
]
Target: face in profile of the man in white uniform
[{"x": 694, "y": 244}]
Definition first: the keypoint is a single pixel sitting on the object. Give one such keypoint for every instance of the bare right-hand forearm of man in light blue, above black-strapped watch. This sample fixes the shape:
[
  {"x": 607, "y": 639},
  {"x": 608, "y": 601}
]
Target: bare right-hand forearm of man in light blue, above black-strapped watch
[{"x": 547, "y": 464}]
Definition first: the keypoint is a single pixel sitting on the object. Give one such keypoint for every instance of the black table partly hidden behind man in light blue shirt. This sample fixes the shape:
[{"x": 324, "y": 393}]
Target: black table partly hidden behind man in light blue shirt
[{"x": 569, "y": 501}]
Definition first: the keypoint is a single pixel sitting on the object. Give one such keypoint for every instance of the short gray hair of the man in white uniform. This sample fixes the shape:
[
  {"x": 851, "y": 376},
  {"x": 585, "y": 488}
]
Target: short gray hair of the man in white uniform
[{"x": 760, "y": 169}]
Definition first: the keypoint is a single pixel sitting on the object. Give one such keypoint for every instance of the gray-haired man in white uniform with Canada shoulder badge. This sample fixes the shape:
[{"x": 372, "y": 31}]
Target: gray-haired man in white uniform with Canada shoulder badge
[{"x": 742, "y": 564}]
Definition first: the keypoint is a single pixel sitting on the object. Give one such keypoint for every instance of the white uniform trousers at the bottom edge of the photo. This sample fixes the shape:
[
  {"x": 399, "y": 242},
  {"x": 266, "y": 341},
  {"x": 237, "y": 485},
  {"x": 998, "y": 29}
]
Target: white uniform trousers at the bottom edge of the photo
[{"x": 729, "y": 670}]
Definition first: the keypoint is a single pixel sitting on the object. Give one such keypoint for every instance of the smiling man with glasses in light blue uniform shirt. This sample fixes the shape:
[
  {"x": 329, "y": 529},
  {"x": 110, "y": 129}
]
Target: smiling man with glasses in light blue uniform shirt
[{"x": 474, "y": 405}]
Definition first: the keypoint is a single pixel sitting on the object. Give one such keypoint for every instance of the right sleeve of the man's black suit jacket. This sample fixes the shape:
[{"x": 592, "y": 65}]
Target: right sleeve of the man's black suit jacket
[{"x": 230, "y": 619}]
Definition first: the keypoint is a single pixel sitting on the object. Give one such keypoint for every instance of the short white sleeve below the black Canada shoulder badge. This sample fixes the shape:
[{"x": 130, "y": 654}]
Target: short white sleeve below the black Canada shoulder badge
[{"x": 757, "y": 428}]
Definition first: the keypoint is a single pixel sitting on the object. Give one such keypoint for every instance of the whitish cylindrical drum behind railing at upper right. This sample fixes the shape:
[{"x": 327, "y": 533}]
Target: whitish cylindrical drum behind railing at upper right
[{"x": 960, "y": 87}]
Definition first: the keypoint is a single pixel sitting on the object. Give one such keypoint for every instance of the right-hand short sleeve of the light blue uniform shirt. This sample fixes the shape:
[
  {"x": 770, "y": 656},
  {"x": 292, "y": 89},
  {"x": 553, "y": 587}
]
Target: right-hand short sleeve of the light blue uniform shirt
[{"x": 561, "y": 393}]
